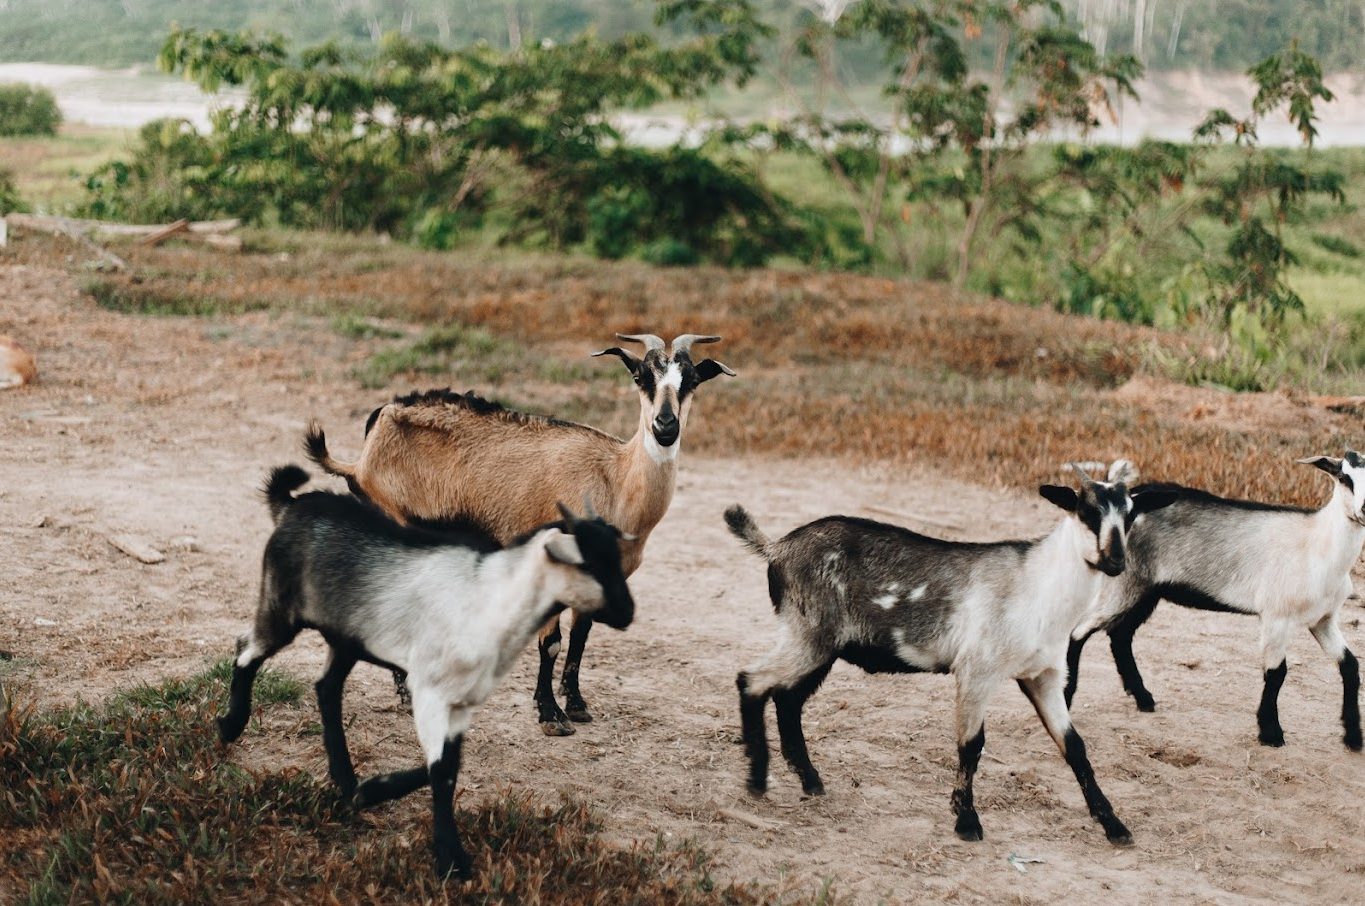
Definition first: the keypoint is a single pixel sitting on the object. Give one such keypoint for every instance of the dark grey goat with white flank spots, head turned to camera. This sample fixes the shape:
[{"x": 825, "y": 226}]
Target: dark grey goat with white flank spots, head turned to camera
[{"x": 891, "y": 601}]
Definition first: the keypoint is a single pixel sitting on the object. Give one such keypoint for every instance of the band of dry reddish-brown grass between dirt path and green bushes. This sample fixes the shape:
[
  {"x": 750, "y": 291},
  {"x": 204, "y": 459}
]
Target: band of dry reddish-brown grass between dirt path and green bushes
[{"x": 831, "y": 365}]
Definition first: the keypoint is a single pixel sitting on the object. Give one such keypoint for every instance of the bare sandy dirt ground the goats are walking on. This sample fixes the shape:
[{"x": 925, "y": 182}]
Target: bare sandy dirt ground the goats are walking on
[{"x": 162, "y": 429}]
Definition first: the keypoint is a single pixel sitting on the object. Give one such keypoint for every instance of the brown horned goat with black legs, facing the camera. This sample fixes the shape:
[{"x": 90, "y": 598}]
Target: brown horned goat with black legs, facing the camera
[{"x": 443, "y": 455}]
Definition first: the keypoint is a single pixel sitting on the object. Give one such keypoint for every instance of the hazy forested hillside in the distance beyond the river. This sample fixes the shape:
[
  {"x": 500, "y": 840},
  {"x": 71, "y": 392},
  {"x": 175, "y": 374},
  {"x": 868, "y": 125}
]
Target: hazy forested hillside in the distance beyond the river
[{"x": 1205, "y": 35}]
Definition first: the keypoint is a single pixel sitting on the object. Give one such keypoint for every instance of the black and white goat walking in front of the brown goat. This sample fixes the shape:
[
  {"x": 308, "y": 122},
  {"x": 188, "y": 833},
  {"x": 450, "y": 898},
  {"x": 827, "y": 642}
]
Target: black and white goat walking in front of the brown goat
[{"x": 452, "y": 609}]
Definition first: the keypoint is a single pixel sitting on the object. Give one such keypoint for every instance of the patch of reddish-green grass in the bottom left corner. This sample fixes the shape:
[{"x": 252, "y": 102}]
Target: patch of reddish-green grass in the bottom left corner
[{"x": 134, "y": 802}]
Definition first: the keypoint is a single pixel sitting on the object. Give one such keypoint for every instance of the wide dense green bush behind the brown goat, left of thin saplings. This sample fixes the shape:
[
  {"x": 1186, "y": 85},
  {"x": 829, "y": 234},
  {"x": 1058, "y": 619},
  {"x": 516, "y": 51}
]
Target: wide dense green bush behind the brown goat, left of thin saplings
[{"x": 422, "y": 143}]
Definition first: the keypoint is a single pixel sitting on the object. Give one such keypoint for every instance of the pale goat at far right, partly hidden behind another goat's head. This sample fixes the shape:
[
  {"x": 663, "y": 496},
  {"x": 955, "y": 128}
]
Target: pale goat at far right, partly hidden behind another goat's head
[{"x": 1292, "y": 567}]
